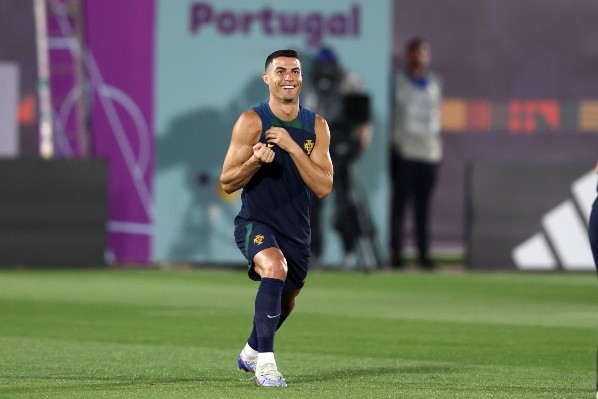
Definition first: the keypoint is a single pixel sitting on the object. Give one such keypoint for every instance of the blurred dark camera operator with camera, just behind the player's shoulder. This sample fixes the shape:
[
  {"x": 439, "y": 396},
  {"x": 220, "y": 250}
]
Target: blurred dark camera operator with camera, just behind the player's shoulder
[{"x": 339, "y": 96}]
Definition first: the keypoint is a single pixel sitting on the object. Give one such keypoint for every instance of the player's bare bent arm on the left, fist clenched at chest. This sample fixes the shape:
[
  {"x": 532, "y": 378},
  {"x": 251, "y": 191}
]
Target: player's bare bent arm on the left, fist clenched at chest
[{"x": 245, "y": 153}]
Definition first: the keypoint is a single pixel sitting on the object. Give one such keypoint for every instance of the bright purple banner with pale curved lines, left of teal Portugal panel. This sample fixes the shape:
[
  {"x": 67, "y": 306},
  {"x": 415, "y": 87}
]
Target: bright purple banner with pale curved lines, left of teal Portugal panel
[{"x": 120, "y": 39}]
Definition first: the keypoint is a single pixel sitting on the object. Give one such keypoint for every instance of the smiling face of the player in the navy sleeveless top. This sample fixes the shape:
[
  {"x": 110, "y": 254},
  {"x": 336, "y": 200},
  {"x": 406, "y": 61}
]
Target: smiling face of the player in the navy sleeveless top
[{"x": 284, "y": 78}]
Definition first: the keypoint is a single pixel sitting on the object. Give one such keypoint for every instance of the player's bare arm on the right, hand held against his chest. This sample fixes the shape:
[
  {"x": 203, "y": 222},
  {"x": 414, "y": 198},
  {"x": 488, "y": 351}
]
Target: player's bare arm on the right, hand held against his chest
[{"x": 315, "y": 170}]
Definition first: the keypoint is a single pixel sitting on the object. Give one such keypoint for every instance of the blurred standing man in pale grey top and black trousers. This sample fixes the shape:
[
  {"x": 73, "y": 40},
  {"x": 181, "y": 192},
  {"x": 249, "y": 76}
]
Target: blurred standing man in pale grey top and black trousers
[{"x": 416, "y": 149}]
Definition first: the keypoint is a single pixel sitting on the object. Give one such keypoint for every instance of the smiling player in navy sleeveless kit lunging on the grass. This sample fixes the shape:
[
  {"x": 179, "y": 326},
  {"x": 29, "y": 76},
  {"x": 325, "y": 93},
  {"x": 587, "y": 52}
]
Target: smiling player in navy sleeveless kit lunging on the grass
[{"x": 279, "y": 155}]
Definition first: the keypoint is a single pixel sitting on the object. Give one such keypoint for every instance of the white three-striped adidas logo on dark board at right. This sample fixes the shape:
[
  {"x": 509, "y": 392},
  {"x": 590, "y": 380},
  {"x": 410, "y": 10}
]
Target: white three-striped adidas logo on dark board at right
[{"x": 563, "y": 241}]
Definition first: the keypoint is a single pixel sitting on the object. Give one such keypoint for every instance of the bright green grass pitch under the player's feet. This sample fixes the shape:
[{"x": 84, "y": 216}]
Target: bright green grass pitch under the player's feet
[{"x": 176, "y": 334}]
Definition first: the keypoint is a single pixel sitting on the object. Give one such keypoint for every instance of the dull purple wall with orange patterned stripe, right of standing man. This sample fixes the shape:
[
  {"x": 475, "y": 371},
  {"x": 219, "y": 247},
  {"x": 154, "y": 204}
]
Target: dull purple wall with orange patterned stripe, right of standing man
[{"x": 522, "y": 84}]
